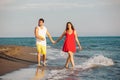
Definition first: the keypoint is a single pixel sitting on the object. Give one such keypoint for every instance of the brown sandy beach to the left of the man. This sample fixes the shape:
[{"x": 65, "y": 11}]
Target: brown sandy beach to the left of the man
[{"x": 15, "y": 57}]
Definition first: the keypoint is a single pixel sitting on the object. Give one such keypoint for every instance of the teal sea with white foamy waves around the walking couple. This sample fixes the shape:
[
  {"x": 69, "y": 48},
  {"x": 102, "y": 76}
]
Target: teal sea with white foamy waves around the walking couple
[{"x": 99, "y": 60}]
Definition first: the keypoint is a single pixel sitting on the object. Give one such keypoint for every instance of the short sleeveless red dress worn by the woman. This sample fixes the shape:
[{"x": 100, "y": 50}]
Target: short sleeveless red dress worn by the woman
[{"x": 69, "y": 43}]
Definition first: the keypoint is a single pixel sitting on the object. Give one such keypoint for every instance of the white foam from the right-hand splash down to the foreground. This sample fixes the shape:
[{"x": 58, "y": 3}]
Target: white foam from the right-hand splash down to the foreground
[{"x": 98, "y": 60}]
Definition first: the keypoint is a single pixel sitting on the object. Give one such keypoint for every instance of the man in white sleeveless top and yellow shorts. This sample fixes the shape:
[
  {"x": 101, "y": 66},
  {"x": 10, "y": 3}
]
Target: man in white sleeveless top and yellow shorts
[{"x": 40, "y": 34}]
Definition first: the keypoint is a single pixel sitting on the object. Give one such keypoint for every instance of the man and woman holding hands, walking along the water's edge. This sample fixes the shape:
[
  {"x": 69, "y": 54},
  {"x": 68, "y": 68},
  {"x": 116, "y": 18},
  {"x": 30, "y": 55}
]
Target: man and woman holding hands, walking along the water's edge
[{"x": 69, "y": 46}]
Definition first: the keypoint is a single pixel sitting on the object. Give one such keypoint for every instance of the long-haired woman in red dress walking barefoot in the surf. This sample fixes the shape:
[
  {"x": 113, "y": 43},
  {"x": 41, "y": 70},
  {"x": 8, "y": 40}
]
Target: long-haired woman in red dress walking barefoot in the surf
[{"x": 70, "y": 43}]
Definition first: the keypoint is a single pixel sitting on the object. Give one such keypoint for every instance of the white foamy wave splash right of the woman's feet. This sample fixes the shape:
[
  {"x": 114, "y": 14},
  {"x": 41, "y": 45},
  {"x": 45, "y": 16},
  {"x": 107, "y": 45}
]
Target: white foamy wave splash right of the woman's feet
[{"x": 98, "y": 60}]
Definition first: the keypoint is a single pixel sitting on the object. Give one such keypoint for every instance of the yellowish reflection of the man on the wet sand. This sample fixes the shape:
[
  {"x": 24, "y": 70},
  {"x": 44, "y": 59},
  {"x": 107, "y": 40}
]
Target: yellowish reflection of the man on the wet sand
[{"x": 40, "y": 72}]
